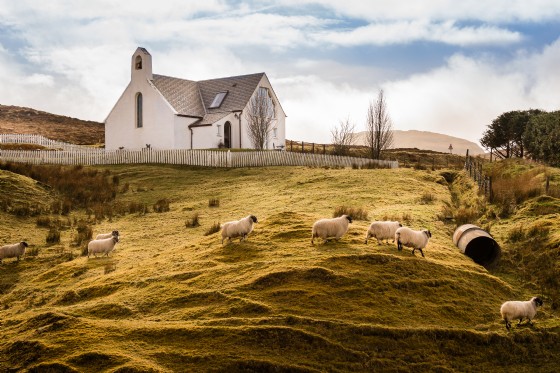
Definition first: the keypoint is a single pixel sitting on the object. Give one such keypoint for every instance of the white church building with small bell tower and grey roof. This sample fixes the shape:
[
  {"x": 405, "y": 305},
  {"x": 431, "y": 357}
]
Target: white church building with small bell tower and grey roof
[{"x": 171, "y": 113}]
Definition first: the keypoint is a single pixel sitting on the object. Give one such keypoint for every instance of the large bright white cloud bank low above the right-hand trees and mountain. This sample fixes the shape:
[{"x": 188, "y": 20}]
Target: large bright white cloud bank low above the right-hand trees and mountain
[{"x": 464, "y": 96}]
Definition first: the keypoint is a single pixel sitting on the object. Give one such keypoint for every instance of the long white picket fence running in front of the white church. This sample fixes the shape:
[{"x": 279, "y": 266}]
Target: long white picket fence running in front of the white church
[{"x": 79, "y": 155}]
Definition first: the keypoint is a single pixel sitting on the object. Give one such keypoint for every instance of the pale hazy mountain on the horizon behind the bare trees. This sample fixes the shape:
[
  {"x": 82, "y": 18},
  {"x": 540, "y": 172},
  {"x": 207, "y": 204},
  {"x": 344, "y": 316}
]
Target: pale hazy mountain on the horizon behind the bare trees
[{"x": 425, "y": 140}]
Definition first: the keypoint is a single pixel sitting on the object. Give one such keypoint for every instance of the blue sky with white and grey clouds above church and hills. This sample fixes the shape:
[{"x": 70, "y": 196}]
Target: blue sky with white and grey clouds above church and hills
[{"x": 444, "y": 66}]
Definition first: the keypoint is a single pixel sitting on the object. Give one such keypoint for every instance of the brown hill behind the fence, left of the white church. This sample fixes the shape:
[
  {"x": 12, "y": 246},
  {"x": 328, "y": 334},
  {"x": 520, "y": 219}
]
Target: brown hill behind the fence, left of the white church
[{"x": 22, "y": 120}]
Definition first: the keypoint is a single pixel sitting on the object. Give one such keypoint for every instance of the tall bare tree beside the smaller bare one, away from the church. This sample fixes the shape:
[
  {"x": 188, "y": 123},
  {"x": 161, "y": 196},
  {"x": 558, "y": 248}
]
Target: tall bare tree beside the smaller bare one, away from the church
[{"x": 379, "y": 128}]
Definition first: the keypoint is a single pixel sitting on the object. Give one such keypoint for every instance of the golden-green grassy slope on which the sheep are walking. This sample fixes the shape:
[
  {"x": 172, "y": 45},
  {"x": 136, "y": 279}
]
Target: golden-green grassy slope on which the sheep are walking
[{"x": 171, "y": 298}]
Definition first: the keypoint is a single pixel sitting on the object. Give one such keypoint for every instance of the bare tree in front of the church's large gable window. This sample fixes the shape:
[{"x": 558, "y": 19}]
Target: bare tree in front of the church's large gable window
[{"x": 260, "y": 116}]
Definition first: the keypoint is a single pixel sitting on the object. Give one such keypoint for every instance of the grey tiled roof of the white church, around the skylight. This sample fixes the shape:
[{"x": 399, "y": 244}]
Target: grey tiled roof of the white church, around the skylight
[{"x": 192, "y": 98}]
